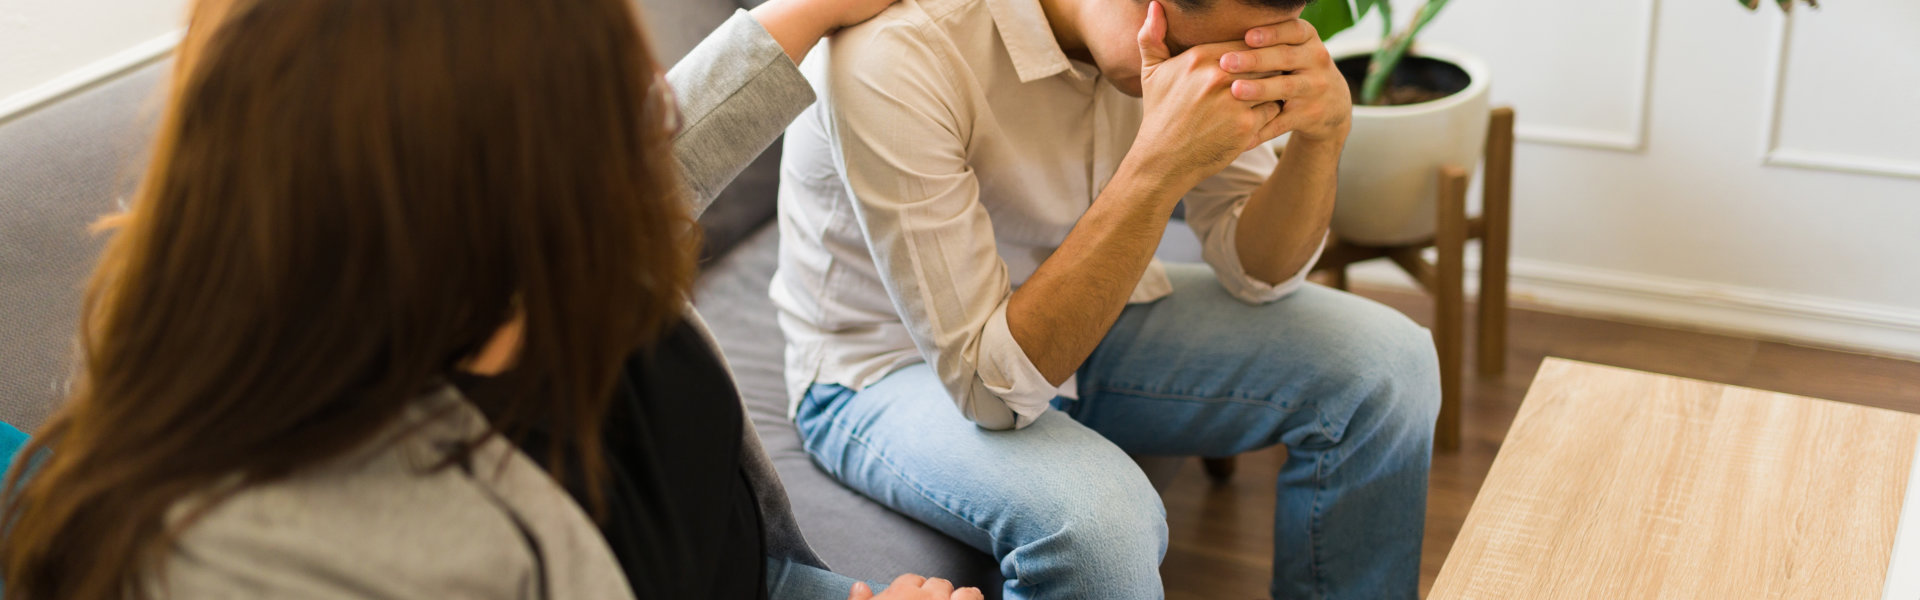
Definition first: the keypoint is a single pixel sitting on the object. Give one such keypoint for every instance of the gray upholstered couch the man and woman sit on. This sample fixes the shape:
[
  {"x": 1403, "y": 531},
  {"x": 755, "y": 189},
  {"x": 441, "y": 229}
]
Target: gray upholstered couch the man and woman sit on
[{"x": 74, "y": 161}]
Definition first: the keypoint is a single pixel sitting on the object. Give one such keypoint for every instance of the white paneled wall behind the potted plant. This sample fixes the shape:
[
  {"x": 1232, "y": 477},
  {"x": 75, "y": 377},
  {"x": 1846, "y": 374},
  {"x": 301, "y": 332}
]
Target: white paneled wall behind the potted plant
[{"x": 1685, "y": 161}]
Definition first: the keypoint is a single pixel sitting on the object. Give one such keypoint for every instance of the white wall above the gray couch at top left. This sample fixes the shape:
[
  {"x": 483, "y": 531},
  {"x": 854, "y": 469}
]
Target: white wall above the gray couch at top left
[{"x": 51, "y": 47}]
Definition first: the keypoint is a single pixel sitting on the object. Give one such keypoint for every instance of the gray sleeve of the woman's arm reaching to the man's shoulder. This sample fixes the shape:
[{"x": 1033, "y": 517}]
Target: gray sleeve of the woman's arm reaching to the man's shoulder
[{"x": 738, "y": 91}]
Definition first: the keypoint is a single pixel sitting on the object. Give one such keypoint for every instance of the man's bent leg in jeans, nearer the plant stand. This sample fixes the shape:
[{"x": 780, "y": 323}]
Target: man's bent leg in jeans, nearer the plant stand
[{"x": 1349, "y": 386}]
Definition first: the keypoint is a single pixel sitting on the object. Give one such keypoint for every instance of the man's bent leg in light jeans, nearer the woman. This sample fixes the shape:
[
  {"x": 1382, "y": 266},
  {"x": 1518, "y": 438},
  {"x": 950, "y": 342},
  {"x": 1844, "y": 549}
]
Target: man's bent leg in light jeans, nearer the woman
[{"x": 1061, "y": 509}]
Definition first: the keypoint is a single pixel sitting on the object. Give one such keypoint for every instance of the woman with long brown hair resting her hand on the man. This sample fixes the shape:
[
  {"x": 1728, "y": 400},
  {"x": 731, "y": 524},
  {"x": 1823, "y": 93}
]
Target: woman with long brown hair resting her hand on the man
[{"x": 400, "y": 312}]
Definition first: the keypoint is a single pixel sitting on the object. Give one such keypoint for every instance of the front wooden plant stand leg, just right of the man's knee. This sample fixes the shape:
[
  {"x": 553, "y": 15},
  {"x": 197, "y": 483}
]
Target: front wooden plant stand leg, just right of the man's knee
[{"x": 1451, "y": 276}]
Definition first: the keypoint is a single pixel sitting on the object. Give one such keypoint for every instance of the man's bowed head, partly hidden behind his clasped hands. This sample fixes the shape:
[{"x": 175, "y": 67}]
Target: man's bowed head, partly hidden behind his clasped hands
[{"x": 1111, "y": 30}]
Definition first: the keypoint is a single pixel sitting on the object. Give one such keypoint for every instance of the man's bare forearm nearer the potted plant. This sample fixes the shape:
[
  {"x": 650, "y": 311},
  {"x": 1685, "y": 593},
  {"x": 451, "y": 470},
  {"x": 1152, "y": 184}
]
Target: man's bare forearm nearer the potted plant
[{"x": 1287, "y": 216}]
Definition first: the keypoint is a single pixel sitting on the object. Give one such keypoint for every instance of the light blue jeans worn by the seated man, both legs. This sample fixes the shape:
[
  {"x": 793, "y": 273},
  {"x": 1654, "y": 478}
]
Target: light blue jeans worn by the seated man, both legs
[{"x": 1349, "y": 386}]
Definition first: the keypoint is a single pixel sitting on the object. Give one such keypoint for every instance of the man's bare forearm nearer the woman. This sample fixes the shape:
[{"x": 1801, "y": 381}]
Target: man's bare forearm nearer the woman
[{"x": 1063, "y": 312}]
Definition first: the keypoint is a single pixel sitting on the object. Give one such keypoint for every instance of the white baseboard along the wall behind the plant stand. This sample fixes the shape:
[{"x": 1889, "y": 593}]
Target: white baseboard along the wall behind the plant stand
[{"x": 1692, "y": 305}]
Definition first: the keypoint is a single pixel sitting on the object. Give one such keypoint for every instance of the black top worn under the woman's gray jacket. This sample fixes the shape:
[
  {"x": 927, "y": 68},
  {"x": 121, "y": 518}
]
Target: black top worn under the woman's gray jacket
[{"x": 681, "y": 511}]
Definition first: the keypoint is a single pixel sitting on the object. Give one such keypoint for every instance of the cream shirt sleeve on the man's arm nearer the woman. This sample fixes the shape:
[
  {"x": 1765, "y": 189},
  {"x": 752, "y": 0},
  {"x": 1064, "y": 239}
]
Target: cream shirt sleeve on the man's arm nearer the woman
[{"x": 901, "y": 141}]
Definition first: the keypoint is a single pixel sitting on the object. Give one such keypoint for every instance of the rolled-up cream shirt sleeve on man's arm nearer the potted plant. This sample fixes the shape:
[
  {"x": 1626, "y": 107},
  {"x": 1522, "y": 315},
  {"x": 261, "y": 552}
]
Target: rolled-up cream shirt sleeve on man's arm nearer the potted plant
[{"x": 1214, "y": 214}]
